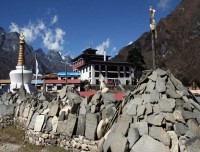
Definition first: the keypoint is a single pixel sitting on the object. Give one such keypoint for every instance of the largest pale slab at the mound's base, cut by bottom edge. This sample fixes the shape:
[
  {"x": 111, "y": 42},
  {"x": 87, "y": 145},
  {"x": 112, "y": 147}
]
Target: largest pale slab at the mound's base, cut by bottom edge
[{"x": 148, "y": 144}]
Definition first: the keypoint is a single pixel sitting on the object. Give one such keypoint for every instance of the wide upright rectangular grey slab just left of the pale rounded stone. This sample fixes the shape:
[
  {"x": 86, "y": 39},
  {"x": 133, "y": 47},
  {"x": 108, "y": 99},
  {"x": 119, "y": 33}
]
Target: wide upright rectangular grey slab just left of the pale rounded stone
[{"x": 91, "y": 125}]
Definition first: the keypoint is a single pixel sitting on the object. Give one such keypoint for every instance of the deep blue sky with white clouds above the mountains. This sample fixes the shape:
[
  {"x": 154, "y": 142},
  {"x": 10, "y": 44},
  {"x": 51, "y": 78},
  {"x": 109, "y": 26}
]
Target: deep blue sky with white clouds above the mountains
[{"x": 70, "y": 26}]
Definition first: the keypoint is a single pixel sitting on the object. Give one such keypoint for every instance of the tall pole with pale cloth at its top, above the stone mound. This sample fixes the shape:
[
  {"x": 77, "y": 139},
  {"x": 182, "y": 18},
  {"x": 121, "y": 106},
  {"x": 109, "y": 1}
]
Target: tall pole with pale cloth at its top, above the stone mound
[{"x": 153, "y": 35}]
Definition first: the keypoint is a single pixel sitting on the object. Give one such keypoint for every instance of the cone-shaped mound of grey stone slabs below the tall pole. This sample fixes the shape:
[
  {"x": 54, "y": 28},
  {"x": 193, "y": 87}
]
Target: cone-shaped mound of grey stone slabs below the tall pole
[{"x": 160, "y": 115}]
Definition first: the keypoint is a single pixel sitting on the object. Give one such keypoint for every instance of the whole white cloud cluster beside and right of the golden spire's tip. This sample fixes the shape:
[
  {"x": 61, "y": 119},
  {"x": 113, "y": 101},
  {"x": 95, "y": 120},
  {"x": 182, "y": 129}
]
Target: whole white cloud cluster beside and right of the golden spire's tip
[{"x": 51, "y": 38}]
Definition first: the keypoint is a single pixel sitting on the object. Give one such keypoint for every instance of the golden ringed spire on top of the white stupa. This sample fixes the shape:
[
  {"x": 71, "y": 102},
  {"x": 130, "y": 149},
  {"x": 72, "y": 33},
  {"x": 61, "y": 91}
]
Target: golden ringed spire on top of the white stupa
[{"x": 21, "y": 57}]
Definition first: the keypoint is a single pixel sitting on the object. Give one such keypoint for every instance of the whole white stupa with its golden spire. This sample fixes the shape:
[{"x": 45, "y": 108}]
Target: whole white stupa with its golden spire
[{"x": 21, "y": 76}]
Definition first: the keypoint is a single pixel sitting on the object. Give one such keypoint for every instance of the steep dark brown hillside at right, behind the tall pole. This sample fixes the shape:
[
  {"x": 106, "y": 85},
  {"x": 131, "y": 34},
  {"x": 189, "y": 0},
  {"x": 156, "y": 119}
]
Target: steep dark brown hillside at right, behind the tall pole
[{"x": 177, "y": 45}]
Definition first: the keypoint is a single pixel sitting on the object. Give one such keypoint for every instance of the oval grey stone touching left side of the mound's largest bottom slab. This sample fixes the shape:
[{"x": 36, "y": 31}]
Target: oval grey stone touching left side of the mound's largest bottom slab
[{"x": 133, "y": 136}]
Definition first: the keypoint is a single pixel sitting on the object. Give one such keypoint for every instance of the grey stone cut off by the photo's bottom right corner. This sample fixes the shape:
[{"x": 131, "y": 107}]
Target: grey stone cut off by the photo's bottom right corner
[{"x": 193, "y": 145}]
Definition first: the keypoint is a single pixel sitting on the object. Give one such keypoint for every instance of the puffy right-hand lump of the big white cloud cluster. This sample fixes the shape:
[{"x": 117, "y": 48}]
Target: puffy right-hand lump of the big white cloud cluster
[{"x": 54, "y": 40}]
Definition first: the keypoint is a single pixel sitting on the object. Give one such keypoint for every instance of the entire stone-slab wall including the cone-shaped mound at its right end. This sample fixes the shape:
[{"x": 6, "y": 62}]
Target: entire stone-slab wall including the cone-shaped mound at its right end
[{"x": 160, "y": 114}]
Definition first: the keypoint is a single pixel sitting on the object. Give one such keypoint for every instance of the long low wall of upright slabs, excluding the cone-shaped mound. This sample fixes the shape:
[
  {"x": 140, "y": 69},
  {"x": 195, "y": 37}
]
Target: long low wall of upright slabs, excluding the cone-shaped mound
[{"x": 67, "y": 120}]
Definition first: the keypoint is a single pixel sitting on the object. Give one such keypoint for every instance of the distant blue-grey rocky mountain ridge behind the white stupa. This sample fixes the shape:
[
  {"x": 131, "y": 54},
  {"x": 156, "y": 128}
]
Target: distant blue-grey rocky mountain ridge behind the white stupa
[{"x": 49, "y": 62}]
